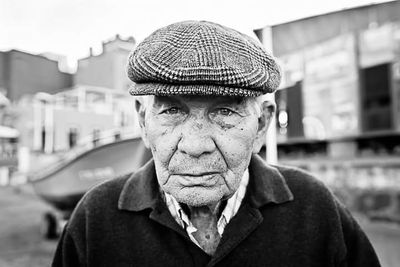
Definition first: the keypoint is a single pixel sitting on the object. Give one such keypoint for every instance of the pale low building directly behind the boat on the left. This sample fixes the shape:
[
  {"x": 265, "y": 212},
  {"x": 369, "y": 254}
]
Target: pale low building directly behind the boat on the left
[{"x": 56, "y": 123}]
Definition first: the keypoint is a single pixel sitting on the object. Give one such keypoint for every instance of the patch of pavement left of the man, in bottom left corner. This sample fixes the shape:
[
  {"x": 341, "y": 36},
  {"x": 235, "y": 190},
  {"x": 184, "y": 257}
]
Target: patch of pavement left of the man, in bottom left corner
[{"x": 21, "y": 244}]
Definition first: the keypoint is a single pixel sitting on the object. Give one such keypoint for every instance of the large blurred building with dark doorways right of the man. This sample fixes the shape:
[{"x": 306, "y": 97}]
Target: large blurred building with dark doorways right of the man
[{"x": 338, "y": 107}]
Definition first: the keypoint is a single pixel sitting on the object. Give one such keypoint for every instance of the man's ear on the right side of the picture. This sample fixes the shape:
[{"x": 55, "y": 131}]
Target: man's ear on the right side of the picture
[{"x": 267, "y": 113}]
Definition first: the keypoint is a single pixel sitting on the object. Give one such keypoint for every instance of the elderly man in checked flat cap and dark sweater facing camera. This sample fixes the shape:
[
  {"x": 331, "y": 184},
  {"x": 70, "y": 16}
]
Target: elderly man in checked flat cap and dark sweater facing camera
[{"x": 206, "y": 198}]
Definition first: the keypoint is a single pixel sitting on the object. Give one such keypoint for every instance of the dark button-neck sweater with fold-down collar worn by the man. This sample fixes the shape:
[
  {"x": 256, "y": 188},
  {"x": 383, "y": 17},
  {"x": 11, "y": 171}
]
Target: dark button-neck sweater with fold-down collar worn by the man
[{"x": 287, "y": 218}]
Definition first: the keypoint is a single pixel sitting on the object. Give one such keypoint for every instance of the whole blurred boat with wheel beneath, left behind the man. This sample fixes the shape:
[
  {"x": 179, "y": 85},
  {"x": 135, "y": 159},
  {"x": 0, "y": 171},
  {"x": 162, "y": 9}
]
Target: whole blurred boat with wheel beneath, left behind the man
[{"x": 63, "y": 183}]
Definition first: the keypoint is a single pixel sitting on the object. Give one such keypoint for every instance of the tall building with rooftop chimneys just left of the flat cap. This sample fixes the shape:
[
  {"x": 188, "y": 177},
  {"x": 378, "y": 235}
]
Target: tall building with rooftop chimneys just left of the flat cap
[{"x": 108, "y": 68}]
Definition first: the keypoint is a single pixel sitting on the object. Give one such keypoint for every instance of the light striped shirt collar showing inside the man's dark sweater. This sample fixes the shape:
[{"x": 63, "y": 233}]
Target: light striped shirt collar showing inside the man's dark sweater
[{"x": 230, "y": 210}]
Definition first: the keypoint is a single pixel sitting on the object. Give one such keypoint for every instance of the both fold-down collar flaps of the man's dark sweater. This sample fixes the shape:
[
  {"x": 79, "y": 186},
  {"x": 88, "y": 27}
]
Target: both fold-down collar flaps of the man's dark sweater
[{"x": 266, "y": 185}]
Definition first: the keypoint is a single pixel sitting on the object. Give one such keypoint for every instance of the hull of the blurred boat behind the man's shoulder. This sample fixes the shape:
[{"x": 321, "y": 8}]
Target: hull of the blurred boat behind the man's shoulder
[{"x": 65, "y": 185}]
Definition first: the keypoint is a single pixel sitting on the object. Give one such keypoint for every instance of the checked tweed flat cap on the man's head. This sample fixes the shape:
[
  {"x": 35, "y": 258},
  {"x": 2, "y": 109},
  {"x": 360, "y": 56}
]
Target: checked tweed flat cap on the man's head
[{"x": 201, "y": 58}]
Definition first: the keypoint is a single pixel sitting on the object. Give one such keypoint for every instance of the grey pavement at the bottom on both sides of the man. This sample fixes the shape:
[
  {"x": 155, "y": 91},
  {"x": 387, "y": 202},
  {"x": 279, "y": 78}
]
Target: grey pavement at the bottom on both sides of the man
[{"x": 21, "y": 244}]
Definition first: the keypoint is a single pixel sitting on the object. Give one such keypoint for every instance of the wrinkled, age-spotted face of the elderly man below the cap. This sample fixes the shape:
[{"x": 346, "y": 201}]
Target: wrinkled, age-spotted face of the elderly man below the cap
[{"x": 201, "y": 145}]
